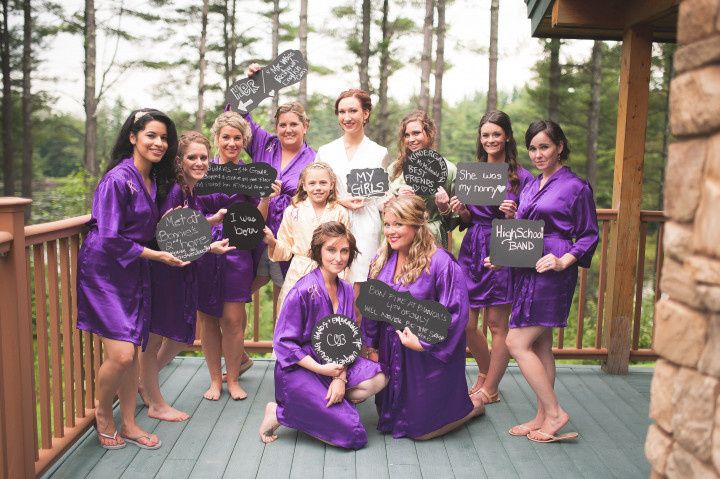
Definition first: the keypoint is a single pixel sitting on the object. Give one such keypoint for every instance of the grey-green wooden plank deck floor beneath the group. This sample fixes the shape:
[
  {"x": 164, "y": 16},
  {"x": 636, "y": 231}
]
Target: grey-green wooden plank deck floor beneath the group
[{"x": 220, "y": 440}]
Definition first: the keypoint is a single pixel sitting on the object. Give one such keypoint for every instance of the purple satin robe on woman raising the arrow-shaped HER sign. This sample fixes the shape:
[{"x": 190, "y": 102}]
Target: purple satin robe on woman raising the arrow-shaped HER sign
[{"x": 265, "y": 148}]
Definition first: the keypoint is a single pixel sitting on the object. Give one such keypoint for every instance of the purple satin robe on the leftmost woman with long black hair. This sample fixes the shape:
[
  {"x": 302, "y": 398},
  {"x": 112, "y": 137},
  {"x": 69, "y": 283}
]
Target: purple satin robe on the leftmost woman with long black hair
[{"x": 113, "y": 281}]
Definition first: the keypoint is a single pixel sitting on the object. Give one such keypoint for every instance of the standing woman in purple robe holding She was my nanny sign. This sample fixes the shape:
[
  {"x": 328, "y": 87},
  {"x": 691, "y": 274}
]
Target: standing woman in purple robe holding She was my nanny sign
[{"x": 489, "y": 290}]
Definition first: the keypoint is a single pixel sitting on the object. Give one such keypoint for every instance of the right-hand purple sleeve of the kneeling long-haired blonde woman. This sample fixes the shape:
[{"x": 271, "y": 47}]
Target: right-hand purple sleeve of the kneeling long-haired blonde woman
[{"x": 451, "y": 293}]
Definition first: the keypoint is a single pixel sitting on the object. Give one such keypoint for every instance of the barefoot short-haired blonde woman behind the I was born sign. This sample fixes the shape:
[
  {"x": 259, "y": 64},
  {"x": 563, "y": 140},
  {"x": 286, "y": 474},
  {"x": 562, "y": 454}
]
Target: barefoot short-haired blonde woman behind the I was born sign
[{"x": 225, "y": 281}]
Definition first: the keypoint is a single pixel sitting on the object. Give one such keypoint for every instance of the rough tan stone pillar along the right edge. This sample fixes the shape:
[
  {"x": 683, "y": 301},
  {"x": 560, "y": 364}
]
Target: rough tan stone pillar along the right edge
[{"x": 684, "y": 441}]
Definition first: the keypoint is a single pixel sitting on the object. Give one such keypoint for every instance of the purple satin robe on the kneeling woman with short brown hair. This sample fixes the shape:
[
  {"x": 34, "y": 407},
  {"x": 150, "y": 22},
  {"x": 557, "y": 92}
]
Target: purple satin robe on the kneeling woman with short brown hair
[{"x": 300, "y": 393}]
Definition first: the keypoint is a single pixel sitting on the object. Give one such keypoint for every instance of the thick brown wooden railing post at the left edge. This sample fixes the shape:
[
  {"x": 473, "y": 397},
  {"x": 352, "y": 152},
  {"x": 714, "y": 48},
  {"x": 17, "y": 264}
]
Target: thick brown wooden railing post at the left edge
[{"x": 17, "y": 397}]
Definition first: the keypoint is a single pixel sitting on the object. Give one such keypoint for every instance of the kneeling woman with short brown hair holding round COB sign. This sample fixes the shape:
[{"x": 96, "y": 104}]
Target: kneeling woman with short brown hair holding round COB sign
[{"x": 312, "y": 397}]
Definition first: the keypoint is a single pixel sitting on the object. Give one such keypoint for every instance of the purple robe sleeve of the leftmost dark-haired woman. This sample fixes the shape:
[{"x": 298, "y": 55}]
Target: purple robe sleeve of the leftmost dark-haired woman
[{"x": 111, "y": 205}]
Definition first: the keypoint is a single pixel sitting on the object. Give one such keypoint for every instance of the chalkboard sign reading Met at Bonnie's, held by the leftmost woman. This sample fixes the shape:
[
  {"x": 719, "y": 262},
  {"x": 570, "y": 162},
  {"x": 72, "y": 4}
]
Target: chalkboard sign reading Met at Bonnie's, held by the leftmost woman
[{"x": 185, "y": 233}]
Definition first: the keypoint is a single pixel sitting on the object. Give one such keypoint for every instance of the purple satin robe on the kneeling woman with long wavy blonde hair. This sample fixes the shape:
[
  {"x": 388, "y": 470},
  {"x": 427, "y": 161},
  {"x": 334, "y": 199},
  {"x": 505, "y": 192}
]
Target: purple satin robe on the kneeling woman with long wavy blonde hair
[{"x": 427, "y": 390}]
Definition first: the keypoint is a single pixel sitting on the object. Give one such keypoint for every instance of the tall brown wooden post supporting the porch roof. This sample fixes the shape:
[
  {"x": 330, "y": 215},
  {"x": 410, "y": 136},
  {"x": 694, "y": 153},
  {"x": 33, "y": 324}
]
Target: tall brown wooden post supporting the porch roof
[{"x": 627, "y": 195}]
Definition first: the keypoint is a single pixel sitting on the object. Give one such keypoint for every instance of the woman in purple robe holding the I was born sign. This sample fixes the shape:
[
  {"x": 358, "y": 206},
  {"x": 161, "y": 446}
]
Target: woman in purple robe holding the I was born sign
[{"x": 174, "y": 290}]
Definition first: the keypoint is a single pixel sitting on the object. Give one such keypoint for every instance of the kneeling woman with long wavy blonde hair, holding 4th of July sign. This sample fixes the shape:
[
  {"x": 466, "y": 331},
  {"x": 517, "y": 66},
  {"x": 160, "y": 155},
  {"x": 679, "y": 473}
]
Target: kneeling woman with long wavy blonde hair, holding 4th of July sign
[{"x": 427, "y": 394}]
